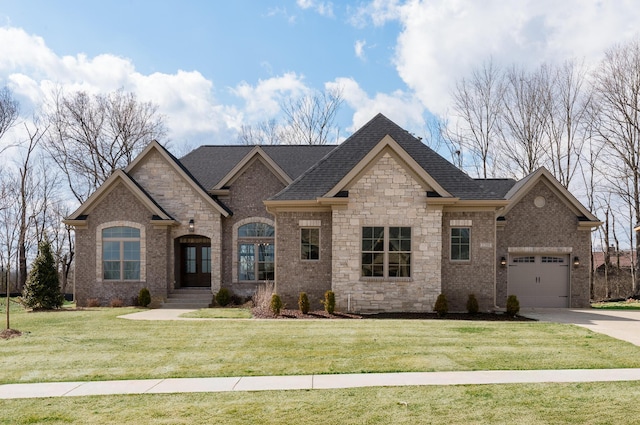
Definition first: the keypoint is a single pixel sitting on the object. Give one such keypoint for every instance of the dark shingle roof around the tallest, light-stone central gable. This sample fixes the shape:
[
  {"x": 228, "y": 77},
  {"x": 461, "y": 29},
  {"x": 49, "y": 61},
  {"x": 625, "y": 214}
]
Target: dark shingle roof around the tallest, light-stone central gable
[{"x": 324, "y": 175}]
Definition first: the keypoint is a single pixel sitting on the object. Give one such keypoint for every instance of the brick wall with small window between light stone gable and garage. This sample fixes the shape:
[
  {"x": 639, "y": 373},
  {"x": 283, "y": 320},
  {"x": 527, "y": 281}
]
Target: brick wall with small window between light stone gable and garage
[{"x": 476, "y": 276}]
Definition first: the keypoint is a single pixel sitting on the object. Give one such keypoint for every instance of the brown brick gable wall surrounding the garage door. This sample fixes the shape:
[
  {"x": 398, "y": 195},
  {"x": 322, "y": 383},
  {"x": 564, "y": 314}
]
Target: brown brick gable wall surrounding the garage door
[{"x": 552, "y": 226}]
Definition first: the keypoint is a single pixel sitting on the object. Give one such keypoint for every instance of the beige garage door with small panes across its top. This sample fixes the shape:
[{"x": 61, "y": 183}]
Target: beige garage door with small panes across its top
[{"x": 539, "y": 280}]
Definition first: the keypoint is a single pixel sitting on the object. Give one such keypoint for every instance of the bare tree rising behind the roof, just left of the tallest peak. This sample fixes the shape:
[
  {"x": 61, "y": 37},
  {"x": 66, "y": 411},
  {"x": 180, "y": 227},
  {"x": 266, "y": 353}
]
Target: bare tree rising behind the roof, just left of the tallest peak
[{"x": 310, "y": 119}]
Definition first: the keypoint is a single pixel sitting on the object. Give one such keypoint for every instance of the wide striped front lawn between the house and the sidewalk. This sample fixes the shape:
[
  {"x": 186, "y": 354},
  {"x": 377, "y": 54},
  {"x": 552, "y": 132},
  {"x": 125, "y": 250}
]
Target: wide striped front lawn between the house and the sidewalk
[{"x": 96, "y": 345}]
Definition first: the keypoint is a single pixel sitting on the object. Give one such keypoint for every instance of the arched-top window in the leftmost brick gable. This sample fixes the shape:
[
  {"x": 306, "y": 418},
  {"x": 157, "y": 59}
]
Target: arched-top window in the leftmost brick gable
[{"x": 121, "y": 253}]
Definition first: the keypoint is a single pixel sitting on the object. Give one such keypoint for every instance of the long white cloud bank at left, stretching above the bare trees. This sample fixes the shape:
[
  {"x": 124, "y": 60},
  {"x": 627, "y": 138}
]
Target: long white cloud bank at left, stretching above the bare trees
[{"x": 32, "y": 70}]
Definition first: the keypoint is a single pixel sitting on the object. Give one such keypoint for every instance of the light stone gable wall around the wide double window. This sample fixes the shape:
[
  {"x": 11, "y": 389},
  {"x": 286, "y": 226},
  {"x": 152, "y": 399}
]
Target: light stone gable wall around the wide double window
[{"x": 387, "y": 195}]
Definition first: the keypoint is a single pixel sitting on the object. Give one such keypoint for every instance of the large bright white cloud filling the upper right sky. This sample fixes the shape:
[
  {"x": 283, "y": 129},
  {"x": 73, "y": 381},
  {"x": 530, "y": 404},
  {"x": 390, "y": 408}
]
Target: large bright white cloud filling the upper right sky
[{"x": 442, "y": 40}]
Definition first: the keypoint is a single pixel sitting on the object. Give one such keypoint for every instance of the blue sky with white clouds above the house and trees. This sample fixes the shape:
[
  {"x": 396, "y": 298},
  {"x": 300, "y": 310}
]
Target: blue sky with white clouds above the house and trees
[{"x": 213, "y": 65}]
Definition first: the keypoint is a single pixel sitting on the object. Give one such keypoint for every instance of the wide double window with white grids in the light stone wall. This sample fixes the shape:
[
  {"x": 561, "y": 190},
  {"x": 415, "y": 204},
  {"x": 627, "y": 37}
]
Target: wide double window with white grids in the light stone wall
[{"x": 386, "y": 252}]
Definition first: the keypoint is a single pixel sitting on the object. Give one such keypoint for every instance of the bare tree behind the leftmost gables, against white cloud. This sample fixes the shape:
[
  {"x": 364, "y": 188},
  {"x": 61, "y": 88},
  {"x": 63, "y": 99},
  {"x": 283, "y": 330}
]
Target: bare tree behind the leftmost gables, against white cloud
[{"x": 92, "y": 136}]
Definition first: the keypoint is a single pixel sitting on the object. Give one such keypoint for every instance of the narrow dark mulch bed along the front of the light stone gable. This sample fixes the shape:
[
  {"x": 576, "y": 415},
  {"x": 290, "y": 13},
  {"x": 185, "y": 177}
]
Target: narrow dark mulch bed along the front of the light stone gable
[{"x": 260, "y": 313}]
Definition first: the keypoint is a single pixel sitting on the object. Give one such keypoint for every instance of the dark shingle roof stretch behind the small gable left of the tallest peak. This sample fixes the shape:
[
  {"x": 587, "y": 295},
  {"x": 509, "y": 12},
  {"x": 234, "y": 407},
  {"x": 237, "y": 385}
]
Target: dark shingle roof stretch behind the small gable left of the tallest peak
[{"x": 211, "y": 163}]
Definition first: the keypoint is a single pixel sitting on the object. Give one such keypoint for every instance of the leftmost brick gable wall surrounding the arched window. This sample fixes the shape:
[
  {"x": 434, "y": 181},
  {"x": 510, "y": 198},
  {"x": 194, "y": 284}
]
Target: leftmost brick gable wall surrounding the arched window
[{"x": 119, "y": 207}]
